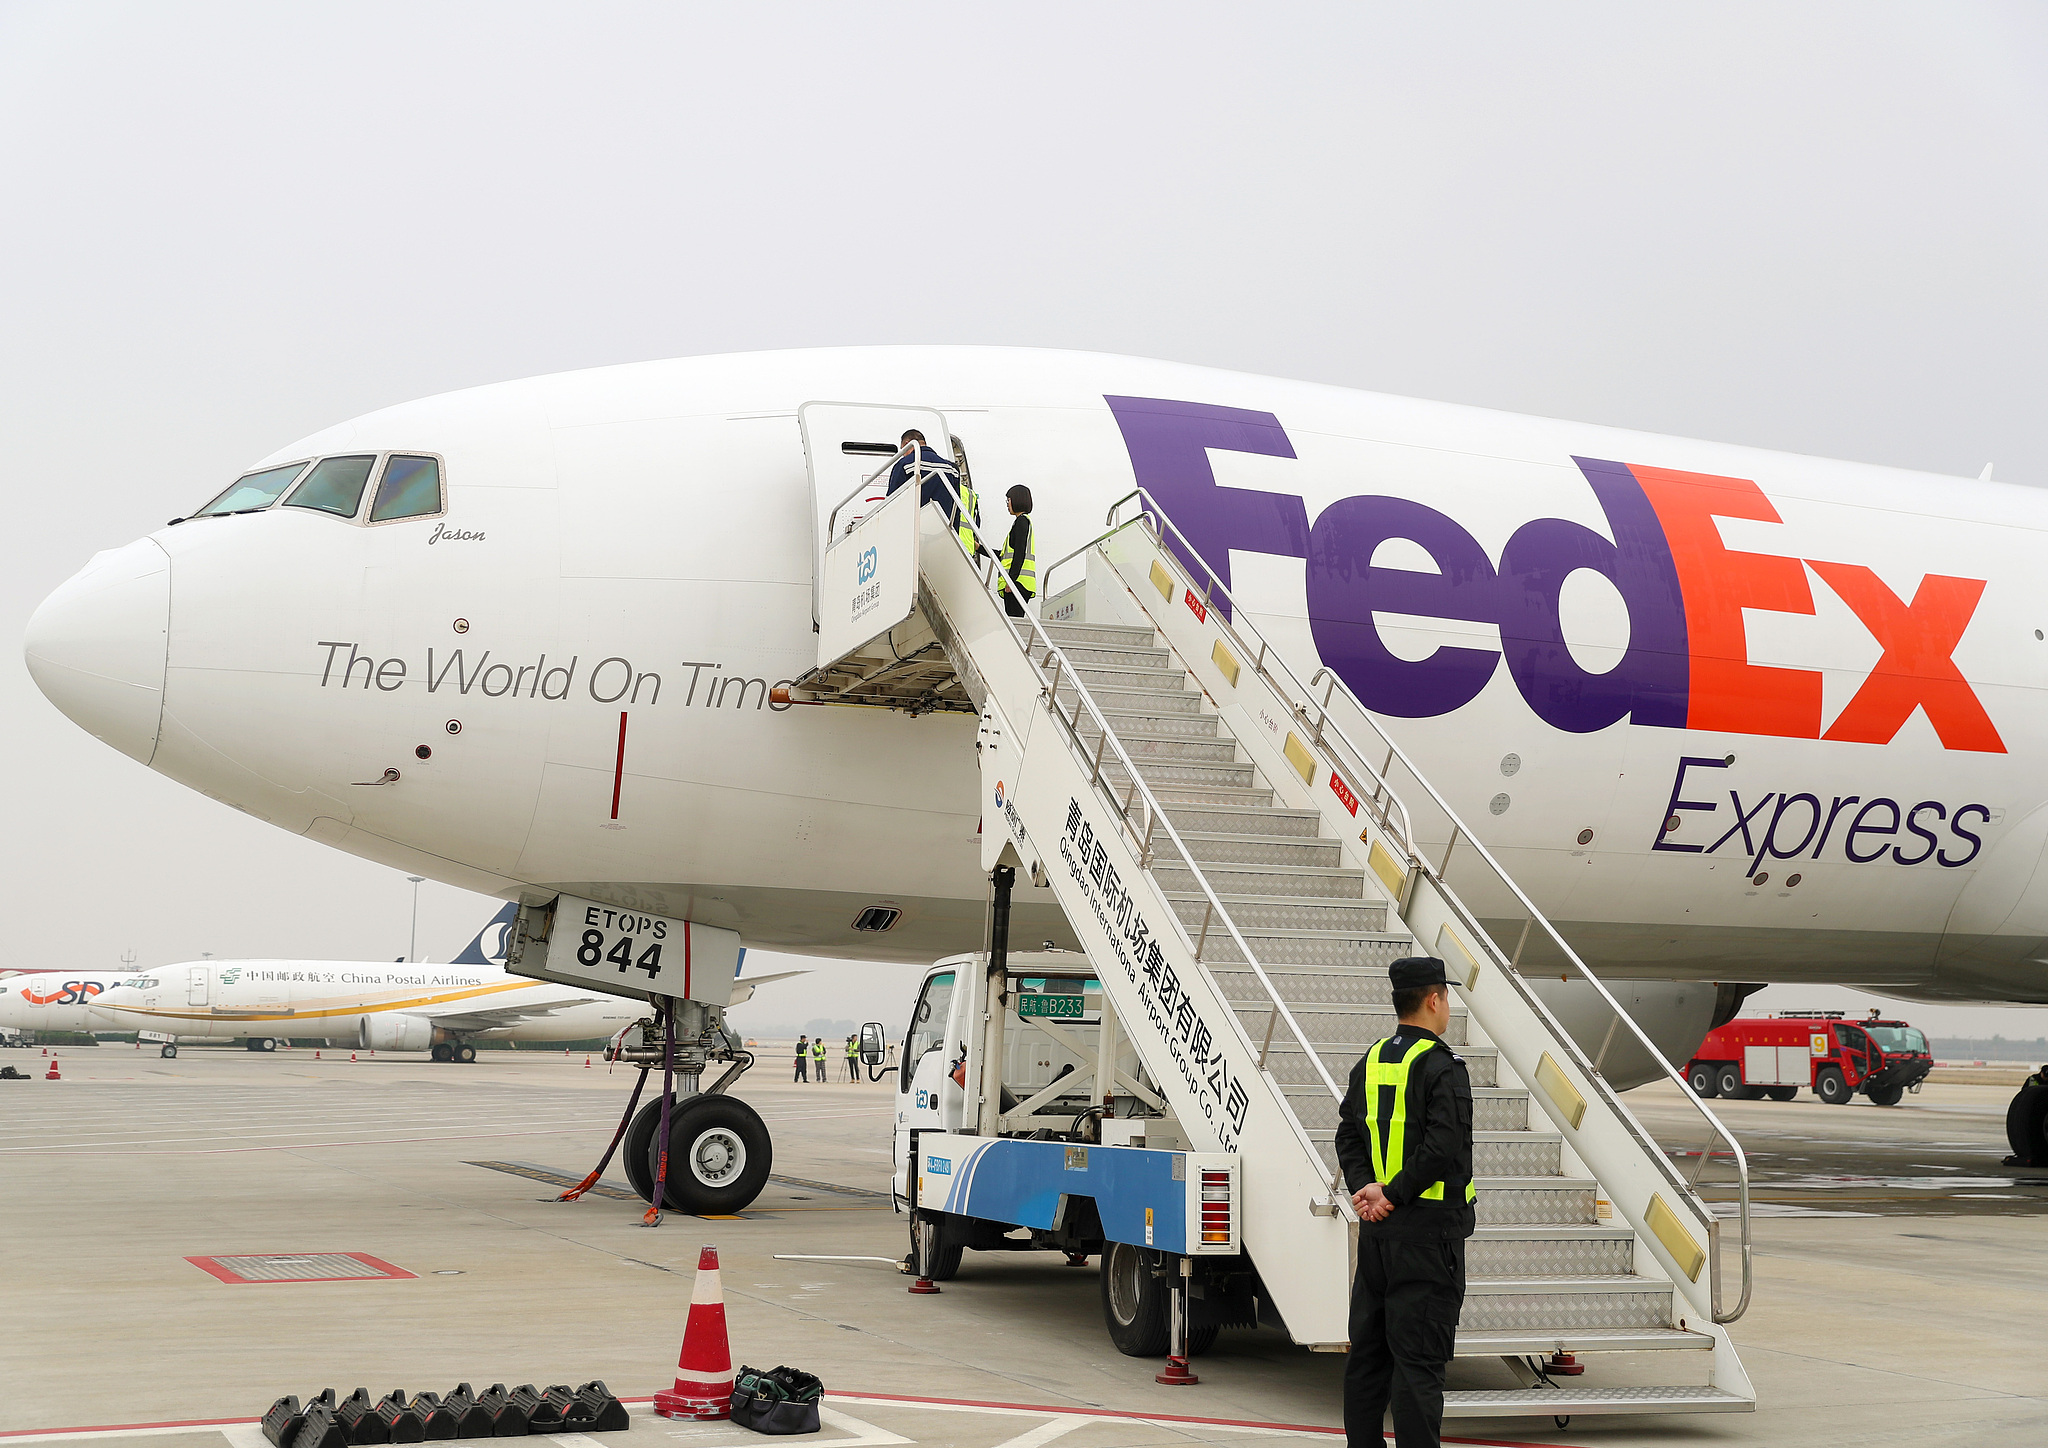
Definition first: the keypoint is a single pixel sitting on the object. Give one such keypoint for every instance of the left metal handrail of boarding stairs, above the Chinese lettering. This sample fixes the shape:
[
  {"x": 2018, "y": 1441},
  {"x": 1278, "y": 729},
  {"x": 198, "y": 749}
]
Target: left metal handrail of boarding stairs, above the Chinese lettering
[{"x": 1140, "y": 792}]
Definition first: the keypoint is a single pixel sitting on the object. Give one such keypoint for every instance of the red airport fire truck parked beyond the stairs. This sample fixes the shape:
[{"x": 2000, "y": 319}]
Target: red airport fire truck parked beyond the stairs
[{"x": 1775, "y": 1056}]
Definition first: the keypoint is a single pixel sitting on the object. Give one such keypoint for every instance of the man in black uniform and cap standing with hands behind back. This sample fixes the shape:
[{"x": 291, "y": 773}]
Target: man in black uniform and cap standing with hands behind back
[{"x": 1406, "y": 1148}]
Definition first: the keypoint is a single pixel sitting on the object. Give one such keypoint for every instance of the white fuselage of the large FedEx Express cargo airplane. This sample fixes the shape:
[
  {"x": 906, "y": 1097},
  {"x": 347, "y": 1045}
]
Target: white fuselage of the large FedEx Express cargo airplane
[{"x": 1727, "y": 716}]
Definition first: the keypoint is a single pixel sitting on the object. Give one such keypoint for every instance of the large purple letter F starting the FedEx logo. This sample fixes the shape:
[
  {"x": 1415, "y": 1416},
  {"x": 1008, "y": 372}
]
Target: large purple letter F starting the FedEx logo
[{"x": 1170, "y": 441}]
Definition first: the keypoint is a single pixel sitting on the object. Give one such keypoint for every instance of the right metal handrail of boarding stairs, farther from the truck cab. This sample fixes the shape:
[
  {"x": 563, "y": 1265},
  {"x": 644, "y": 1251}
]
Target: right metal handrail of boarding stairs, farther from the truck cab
[{"x": 1322, "y": 730}]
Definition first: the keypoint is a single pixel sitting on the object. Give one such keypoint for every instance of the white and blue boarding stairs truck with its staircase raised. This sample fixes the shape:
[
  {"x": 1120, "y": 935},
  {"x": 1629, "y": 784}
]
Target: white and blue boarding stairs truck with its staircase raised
[{"x": 1240, "y": 855}]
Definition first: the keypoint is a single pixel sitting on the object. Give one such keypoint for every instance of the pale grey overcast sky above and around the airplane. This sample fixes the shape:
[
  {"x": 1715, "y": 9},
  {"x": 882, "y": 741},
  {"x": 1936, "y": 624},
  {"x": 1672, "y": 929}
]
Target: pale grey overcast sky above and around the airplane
[{"x": 1816, "y": 228}]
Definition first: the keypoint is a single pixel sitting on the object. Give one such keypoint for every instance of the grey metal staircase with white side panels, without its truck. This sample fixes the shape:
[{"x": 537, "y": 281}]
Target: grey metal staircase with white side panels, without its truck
[{"x": 1240, "y": 876}]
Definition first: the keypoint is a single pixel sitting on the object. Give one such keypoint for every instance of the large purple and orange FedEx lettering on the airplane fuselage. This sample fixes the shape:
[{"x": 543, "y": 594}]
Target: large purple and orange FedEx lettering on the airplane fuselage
[{"x": 1687, "y": 665}]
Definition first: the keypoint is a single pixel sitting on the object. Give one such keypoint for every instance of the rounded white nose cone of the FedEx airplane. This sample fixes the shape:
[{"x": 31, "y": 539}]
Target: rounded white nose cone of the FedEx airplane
[{"x": 99, "y": 644}]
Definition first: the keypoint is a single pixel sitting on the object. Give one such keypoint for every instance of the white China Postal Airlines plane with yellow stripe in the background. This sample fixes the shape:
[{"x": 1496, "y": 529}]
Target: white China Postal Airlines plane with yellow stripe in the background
[{"x": 378, "y": 1007}]
